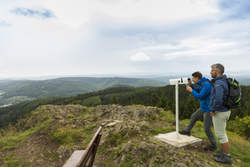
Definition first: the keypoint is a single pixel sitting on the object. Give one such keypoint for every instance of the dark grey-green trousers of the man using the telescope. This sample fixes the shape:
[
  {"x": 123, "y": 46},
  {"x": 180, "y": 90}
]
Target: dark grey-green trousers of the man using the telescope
[{"x": 207, "y": 123}]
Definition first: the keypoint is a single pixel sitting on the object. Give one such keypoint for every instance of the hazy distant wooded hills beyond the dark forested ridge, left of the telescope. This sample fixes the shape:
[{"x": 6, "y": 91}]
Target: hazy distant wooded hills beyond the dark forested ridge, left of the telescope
[{"x": 65, "y": 87}]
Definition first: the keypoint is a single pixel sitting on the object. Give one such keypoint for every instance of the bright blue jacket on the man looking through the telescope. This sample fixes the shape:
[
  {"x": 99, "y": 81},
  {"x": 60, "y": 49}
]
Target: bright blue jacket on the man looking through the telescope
[{"x": 203, "y": 93}]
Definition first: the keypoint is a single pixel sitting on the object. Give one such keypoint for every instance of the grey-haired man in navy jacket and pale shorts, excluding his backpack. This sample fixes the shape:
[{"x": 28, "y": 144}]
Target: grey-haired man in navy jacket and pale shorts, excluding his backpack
[{"x": 219, "y": 112}]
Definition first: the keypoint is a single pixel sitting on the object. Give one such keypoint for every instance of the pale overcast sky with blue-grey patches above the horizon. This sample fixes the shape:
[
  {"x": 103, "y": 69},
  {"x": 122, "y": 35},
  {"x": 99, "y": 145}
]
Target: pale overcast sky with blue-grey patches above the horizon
[{"x": 80, "y": 37}]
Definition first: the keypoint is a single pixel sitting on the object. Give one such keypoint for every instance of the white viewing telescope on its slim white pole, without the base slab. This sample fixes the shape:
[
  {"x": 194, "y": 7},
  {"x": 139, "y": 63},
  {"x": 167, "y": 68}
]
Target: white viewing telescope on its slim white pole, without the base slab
[{"x": 176, "y": 82}]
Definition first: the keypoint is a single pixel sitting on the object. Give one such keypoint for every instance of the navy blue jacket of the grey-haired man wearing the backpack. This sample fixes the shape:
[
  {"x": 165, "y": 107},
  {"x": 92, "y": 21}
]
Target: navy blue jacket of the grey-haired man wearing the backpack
[{"x": 219, "y": 94}]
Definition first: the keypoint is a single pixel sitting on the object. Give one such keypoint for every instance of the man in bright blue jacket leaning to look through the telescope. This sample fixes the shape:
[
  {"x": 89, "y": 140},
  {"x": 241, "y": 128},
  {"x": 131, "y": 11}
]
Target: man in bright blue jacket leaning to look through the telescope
[{"x": 203, "y": 94}]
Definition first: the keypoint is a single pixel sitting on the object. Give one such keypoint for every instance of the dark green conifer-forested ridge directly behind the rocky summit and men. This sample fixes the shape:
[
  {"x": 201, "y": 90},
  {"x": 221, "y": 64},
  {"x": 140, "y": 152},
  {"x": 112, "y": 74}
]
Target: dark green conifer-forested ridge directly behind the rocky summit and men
[{"x": 163, "y": 97}]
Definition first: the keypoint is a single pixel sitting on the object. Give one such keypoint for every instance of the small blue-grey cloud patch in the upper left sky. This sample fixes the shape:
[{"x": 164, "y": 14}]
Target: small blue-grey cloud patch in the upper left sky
[{"x": 36, "y": 13}]
